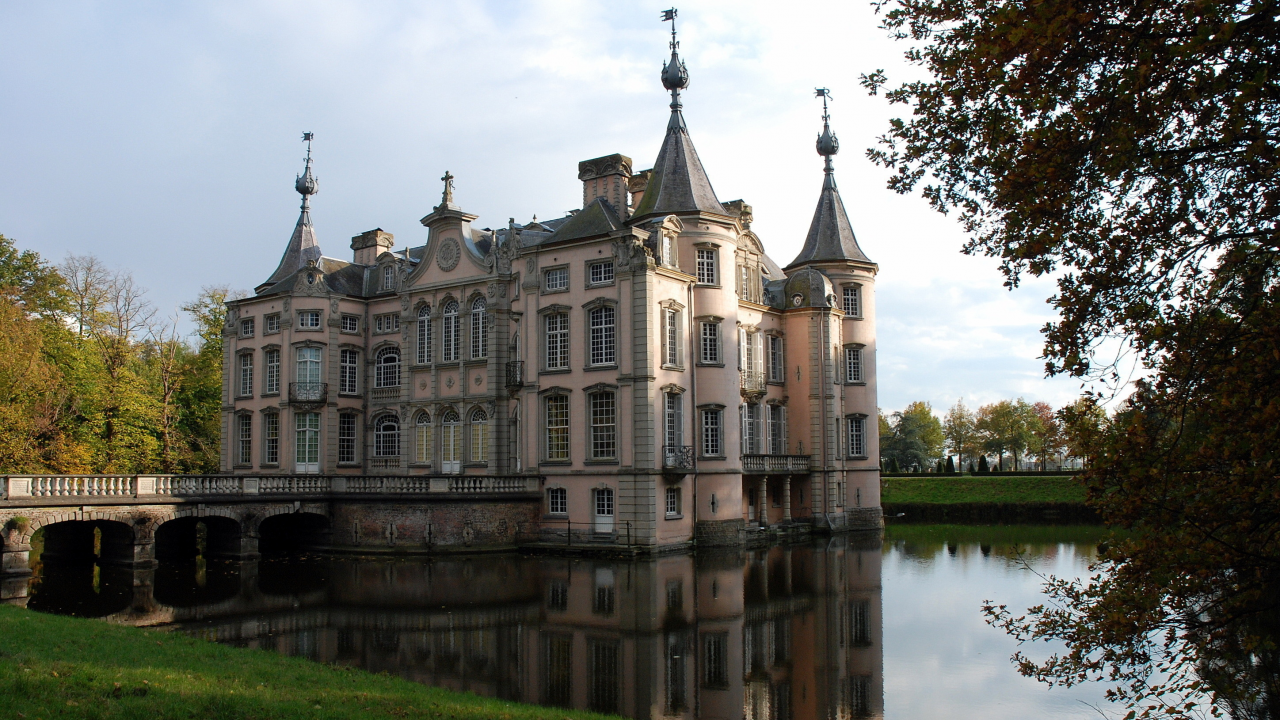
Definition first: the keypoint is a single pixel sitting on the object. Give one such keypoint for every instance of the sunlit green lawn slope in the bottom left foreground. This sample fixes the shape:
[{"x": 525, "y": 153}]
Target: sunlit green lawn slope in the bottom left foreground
[{"x": 54, "y": 667}]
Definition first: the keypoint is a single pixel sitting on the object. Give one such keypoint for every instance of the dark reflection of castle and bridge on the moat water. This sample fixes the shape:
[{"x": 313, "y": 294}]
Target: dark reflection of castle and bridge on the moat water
[{"x": 775, "y": 634}]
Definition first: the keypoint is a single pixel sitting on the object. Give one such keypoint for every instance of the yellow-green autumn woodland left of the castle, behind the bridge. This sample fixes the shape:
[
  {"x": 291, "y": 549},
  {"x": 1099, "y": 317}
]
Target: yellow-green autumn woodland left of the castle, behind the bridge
[{"x": 94, "y": 379}]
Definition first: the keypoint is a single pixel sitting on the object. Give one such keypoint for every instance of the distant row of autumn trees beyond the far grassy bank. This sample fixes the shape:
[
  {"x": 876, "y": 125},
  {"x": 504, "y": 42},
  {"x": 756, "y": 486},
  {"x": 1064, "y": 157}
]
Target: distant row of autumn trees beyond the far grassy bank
[{"x": 1011, "y": 435}]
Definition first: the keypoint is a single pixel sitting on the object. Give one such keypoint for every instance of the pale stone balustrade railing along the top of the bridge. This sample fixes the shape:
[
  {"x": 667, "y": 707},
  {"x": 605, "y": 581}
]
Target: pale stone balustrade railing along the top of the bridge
[{"x": 35, "y": 490}]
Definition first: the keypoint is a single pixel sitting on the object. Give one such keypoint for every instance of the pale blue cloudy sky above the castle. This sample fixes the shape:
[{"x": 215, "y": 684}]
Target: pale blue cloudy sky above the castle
[{"x": 164, "y": 139}]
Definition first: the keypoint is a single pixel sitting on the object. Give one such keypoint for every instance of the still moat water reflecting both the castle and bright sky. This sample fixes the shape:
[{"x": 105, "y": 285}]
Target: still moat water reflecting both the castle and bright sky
[{"x": 839, "y": 628}]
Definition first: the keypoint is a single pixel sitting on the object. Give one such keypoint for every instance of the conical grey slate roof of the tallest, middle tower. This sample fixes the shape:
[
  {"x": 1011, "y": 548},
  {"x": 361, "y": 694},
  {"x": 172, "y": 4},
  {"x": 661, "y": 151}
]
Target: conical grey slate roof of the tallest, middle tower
[{"x": 679, "y": 183}]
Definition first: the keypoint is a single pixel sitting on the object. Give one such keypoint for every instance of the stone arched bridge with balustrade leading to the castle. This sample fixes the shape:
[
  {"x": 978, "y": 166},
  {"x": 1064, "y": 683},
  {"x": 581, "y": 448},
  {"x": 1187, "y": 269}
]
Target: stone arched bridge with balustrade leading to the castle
[{"x": 134, "y": 521}]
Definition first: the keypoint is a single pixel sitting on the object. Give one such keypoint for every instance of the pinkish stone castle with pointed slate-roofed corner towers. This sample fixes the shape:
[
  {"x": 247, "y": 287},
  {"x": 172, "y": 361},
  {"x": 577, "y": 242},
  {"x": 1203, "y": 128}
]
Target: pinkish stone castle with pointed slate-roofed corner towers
[{"x": 643, "y": 359}]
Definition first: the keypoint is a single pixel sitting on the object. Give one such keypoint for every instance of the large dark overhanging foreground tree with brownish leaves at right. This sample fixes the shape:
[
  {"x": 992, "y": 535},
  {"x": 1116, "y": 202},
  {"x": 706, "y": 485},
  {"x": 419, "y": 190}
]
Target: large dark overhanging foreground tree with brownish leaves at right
[{"x": 1131, "y": 151}]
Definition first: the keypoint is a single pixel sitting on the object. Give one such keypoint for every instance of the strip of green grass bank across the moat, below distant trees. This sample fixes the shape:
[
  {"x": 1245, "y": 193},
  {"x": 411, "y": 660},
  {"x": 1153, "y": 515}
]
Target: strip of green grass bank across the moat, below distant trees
[{"x": 956, "y": 490}]
